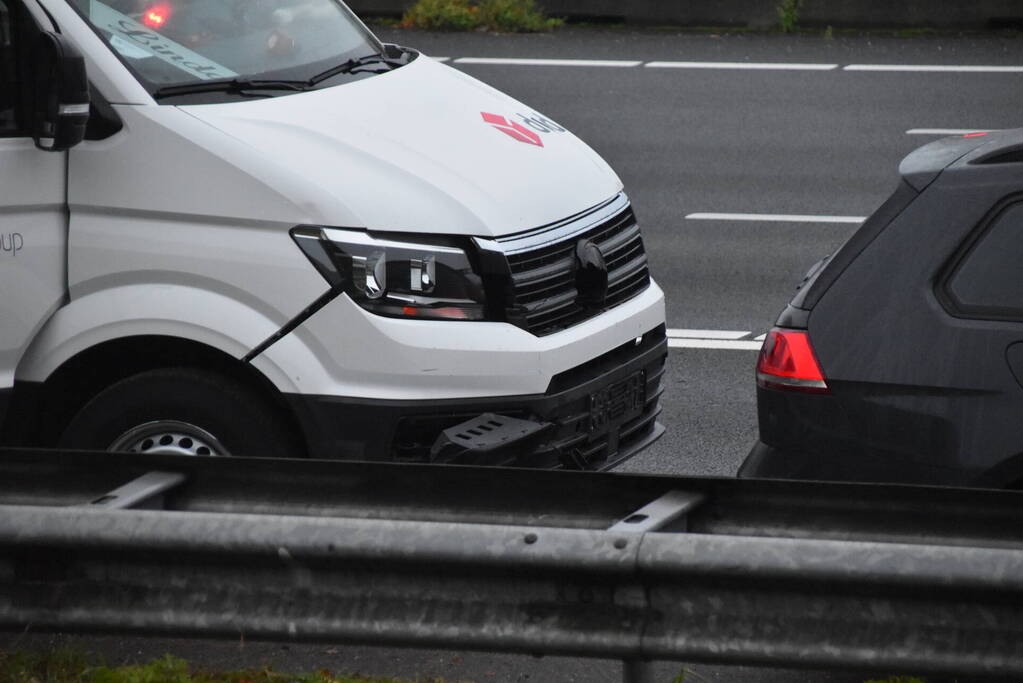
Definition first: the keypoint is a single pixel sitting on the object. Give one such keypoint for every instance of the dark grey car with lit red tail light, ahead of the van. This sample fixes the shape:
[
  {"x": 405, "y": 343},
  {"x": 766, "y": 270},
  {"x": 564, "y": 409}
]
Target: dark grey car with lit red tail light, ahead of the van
[{"x": 901, "y": 358}]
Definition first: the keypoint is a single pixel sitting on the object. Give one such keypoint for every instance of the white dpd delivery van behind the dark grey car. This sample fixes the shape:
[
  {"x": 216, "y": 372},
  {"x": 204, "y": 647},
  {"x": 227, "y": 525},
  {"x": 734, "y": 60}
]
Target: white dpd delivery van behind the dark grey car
[{"x": 272, "y": 235}]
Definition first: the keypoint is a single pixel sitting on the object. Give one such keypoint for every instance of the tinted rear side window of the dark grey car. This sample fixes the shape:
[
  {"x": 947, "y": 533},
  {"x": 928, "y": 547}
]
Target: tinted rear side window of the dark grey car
[{"x": 989, "y": 282}]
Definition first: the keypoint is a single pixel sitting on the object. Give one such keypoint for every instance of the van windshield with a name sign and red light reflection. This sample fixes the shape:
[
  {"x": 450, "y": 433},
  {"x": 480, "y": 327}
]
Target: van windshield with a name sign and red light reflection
[{"x": 184, "y": 42}]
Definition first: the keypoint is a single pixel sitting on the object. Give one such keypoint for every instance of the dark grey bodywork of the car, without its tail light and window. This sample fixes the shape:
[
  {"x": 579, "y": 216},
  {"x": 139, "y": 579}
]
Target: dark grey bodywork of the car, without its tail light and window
[{"x": 913, "y": 383}]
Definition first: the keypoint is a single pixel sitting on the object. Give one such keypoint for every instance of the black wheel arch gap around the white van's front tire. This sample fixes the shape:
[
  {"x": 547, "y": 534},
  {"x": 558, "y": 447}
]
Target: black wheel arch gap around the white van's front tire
[{"x": 40, "y": 413}]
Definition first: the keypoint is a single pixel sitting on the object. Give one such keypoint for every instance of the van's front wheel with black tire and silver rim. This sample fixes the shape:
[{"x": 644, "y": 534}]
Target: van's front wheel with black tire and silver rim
[{"x": 182, "y": 406}]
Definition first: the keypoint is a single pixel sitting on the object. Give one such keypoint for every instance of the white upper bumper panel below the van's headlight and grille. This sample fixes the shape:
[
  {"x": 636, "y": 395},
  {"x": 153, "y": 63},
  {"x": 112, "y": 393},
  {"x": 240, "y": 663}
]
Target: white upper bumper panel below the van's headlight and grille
[{"x": 346, "y": 351}]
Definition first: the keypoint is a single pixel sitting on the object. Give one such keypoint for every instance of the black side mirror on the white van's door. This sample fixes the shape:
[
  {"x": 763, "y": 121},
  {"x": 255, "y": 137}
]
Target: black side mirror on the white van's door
[{"x": 61, "y": 107}]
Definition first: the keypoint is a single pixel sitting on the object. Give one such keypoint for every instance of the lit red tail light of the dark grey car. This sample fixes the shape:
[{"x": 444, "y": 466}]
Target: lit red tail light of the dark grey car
[{"x": 787, "y": 362}]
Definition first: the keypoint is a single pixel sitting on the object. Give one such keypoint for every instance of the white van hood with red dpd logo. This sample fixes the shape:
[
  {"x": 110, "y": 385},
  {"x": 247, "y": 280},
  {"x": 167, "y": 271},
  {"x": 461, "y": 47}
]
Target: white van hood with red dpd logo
[{"x": 423, "y": 149}]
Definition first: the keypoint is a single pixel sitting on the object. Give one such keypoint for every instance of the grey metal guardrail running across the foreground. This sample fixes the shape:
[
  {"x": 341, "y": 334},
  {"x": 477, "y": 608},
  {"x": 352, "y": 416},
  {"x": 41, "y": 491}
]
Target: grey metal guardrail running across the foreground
[{"x": 882, "y": 579}]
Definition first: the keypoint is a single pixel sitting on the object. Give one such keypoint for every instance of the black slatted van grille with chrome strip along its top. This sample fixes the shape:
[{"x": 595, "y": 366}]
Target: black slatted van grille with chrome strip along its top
[{"x": 544, "y": 298}]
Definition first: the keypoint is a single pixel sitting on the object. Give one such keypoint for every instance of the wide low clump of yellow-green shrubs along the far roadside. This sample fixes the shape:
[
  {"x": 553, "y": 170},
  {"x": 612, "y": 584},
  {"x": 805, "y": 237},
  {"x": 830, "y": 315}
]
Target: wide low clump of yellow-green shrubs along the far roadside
[{"x": 502, "y": 16}]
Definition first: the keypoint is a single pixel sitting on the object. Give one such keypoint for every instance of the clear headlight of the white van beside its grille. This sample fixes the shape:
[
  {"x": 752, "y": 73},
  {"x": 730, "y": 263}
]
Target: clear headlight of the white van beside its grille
[{"x": 396, "y": 279}]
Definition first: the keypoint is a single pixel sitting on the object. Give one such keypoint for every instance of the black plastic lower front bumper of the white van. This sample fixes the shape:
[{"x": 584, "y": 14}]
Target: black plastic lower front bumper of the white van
[{"x": 591, "y": 431}]
